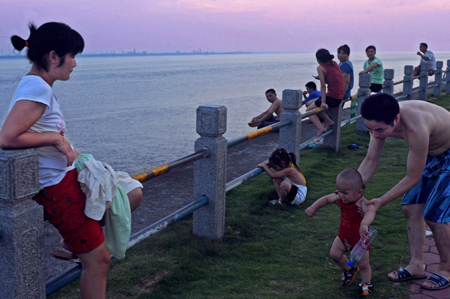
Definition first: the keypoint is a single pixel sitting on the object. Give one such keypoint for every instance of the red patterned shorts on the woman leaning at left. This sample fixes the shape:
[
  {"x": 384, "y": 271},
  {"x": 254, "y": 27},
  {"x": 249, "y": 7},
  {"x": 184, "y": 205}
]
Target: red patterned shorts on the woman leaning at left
[{"x": 64, "y": 208}]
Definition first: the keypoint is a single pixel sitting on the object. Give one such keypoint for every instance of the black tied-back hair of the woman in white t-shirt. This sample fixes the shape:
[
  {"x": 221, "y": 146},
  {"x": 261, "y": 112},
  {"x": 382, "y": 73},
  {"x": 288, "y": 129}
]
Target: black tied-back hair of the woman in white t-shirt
[{"x": 52, "y": 36}]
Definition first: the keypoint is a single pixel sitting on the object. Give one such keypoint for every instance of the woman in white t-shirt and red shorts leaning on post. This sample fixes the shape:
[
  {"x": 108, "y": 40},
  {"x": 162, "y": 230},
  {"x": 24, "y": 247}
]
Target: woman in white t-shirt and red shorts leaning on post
[{"x": 35, "y": 120}]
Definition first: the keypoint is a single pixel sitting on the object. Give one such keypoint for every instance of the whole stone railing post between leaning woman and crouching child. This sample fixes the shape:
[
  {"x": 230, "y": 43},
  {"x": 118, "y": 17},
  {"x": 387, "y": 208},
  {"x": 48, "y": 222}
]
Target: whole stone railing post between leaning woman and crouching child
[{"x": 210, "y": 172}]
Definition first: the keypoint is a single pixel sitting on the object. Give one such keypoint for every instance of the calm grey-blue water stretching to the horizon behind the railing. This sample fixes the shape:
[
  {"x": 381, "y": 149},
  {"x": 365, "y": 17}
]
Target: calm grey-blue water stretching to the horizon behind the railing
[{"x": 138, "y": 112}]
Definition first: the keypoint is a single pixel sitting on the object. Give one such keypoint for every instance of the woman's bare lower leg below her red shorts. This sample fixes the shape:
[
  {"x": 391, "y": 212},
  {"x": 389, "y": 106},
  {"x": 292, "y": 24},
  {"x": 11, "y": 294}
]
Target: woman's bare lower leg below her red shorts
[{"x": 95, "y": 269}]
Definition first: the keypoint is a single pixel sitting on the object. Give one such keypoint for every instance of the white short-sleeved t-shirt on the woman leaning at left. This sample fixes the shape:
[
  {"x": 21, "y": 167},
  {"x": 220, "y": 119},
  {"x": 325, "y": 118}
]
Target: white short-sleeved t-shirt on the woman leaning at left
[{"x": 52, "y": 163}]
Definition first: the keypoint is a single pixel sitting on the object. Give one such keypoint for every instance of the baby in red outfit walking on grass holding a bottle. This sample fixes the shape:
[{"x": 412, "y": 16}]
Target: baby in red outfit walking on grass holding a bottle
[{"x": 349, "y": 197}]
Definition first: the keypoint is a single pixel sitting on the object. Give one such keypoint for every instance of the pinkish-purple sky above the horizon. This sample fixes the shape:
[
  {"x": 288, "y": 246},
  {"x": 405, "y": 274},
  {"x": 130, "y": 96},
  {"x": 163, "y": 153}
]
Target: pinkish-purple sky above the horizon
[{"x": 236, "y": 25}]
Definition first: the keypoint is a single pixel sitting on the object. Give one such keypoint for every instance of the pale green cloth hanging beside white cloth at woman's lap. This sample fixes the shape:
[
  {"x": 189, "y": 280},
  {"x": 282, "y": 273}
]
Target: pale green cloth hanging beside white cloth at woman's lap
[{"x": 117, "y": 217}]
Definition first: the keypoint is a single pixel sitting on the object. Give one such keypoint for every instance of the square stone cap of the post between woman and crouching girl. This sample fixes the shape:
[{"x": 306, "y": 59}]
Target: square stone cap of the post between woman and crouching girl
[{"x": 211, "y": 120}]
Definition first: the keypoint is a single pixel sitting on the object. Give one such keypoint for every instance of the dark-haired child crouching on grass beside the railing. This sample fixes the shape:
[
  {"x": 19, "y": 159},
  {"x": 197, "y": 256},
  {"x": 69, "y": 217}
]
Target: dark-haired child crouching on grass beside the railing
[{"x": 289, "y": 182}]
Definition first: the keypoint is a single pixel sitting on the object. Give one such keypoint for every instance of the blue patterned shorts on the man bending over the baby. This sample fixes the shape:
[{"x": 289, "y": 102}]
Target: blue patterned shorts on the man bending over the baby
[{"x": 433, "y": 190}]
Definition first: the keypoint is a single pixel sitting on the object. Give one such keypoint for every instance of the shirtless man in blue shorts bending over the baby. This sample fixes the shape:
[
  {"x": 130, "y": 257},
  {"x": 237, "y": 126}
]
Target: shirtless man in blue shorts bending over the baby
[{"x": 424, "y": 127}]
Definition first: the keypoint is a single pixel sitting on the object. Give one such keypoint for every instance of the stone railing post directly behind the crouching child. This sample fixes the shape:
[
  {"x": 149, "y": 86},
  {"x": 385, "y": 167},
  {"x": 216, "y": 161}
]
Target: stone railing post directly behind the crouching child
[{"x": 290, "y": 136}]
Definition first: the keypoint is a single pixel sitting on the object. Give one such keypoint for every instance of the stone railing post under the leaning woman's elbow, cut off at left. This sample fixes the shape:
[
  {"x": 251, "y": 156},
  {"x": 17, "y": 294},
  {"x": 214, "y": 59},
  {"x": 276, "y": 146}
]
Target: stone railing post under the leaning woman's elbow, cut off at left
[{"x": 22, "y": 252}]
